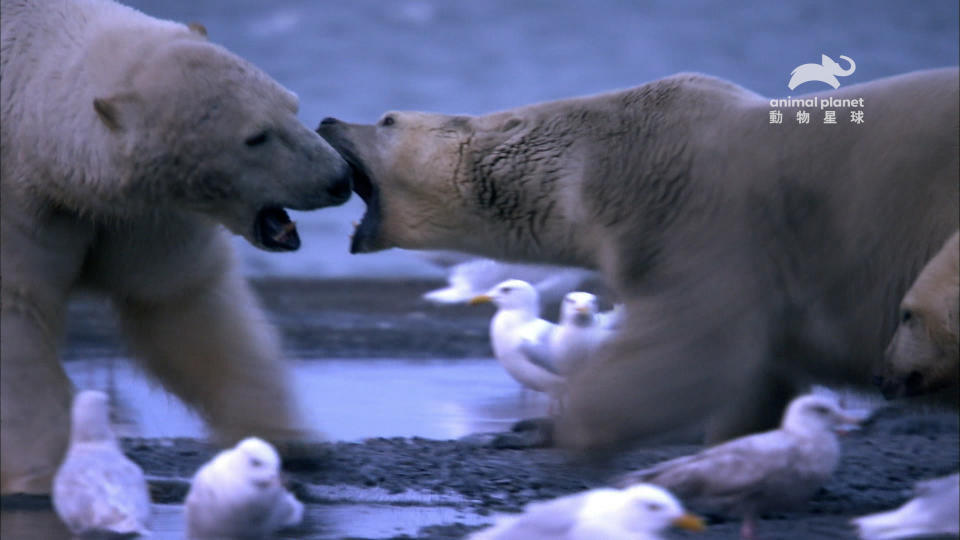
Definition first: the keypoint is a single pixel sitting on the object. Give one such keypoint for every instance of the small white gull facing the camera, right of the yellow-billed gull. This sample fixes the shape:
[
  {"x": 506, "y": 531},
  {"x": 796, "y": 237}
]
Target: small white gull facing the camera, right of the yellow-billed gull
[{"x": 579, "y": 333}]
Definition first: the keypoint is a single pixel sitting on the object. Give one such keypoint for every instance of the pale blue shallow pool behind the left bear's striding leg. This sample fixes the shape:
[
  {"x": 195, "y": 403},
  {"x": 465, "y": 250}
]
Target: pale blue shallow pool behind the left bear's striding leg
[{"x": 345, "y": 399}]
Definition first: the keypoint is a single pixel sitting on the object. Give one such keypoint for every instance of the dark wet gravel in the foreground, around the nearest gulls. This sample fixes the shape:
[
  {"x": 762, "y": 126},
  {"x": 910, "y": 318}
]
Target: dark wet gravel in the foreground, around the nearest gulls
[{"x": 879, "y": 466}]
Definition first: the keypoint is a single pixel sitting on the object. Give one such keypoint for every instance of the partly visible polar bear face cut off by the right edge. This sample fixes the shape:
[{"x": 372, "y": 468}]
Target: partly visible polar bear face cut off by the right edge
[{"x": 923, "y": 356}]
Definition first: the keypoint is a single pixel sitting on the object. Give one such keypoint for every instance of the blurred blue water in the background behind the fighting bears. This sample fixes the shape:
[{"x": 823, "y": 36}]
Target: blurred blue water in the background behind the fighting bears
[{"x": 355, "y": 60}]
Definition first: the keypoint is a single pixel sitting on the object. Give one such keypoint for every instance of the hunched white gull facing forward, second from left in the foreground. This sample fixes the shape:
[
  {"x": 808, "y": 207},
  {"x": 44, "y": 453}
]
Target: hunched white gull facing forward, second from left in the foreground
[{"x": 238, "y": 494}]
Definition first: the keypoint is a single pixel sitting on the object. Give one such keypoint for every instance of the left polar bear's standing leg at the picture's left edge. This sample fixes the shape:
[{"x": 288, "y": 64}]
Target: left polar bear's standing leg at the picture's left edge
[{"x": 42, "y": 252}]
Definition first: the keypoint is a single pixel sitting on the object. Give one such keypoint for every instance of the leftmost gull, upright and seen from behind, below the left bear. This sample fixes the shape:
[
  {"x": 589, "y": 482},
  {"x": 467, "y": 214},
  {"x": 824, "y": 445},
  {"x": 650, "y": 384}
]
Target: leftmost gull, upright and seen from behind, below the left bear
[{"x": 97, "y": 490}]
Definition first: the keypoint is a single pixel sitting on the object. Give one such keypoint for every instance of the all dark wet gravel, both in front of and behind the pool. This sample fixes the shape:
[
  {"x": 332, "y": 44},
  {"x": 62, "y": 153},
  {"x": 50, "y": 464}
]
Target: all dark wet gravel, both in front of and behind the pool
[{"x": 364, "y": 319}]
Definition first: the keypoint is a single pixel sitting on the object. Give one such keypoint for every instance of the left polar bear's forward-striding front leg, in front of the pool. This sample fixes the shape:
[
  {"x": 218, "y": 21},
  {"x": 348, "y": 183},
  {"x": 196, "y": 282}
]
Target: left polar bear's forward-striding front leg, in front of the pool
[{"x": 212, "y": 346}]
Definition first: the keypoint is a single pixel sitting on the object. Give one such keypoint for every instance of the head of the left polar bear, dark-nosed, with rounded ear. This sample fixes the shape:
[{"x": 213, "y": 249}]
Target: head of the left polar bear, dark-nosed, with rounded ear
[{"x": 192, "y": 124}]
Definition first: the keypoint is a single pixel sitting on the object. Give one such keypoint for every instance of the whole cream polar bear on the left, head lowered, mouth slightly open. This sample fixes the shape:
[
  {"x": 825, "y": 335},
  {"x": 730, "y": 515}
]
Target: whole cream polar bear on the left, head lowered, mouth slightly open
[{"x": 126, "y": 142}]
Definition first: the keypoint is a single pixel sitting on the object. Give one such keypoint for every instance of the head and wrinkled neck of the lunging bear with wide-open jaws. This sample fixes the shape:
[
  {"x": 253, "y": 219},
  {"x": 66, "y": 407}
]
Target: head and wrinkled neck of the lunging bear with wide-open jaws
[{"x": 435, "y": 181}]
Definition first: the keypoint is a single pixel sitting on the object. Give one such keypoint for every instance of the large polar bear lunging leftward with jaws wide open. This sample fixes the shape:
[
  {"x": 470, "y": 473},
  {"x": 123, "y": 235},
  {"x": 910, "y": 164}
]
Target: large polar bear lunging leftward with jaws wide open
[{"x": 755, "y": 258}]
